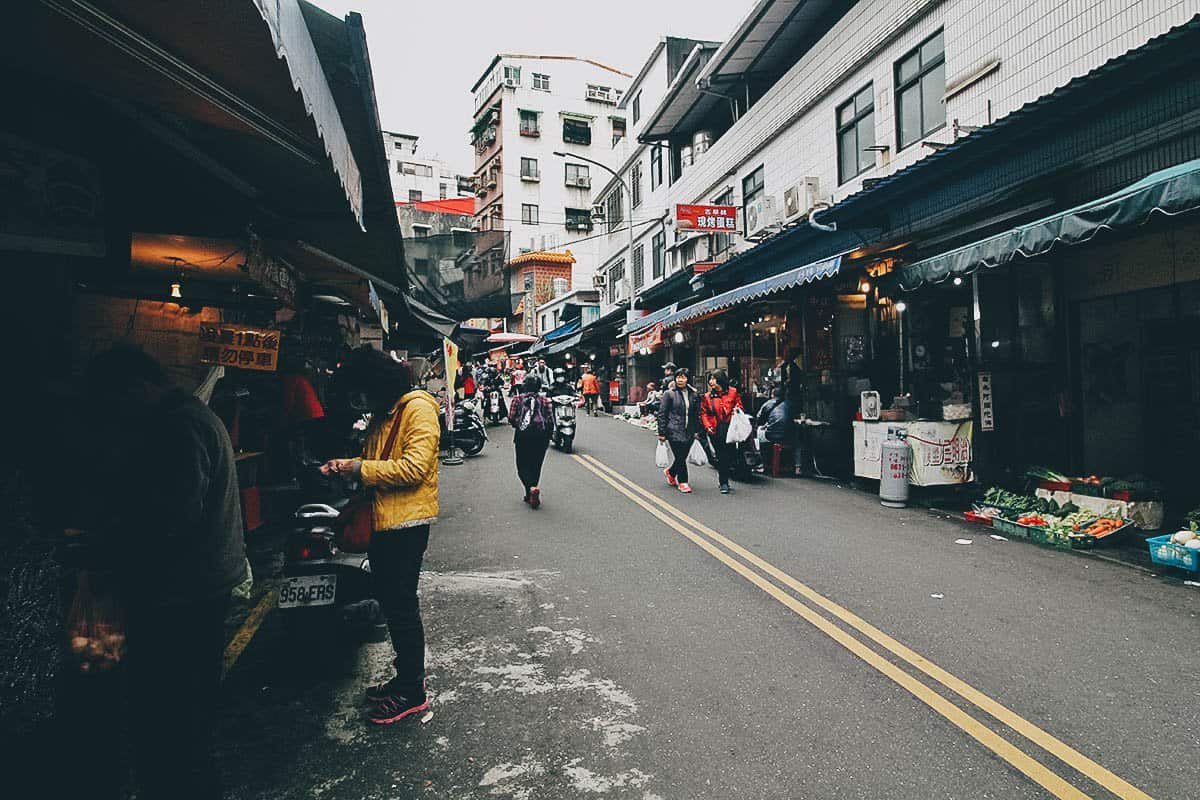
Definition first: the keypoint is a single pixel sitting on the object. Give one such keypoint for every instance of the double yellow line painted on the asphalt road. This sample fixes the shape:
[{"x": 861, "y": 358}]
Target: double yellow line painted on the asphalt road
[{"x": 773, "y": 581}]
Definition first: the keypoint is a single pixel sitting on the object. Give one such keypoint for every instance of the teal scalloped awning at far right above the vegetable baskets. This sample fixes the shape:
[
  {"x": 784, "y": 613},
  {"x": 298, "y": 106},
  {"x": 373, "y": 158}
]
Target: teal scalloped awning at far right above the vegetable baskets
[{"x": 1169, "y": 193}]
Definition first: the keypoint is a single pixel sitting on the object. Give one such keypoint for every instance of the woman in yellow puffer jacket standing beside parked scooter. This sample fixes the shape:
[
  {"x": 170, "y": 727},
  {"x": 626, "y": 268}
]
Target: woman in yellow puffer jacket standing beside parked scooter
[{"x": 400, "y": 470}]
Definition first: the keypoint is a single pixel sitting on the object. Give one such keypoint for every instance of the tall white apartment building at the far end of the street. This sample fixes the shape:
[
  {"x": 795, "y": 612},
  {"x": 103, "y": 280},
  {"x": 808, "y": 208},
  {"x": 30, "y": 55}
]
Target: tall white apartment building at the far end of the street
[{"x": 529, "y": 109}]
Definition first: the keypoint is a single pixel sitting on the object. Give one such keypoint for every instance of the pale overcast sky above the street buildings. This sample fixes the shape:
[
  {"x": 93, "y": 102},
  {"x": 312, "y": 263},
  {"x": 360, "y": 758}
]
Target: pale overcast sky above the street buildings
[{"x": 427, "y": 55}]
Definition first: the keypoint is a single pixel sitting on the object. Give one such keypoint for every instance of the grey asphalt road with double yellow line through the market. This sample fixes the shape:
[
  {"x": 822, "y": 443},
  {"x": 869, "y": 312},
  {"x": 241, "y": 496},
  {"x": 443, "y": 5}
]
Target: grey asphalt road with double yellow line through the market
[{"x": 793, "y": 640}]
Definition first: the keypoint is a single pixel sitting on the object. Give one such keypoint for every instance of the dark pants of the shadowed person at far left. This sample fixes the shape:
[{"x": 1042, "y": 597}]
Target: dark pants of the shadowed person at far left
[{"x": 175, "y": 675}]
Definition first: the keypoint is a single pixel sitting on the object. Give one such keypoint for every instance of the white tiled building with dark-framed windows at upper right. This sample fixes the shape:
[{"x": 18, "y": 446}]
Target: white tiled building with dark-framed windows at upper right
[{"x": 776, "y": 118}]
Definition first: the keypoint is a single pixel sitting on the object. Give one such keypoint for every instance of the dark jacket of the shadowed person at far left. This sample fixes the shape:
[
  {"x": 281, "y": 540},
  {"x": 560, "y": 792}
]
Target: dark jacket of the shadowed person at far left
[{"x": 185, "y": 543}]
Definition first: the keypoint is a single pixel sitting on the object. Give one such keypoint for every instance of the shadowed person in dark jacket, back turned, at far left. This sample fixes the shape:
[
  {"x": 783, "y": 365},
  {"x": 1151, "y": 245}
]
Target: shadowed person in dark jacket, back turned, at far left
[{"x": 178, "y": 551}]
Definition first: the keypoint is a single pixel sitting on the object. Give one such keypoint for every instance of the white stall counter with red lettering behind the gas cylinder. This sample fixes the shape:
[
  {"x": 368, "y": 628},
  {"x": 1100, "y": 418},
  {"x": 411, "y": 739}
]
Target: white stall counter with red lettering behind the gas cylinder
[{"x": 941, "y": 452}]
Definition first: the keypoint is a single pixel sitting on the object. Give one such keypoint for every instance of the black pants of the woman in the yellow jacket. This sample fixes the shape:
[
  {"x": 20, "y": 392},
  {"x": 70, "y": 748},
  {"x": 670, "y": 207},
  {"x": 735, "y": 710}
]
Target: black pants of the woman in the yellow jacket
[{"x": 395, "y": 569}]
